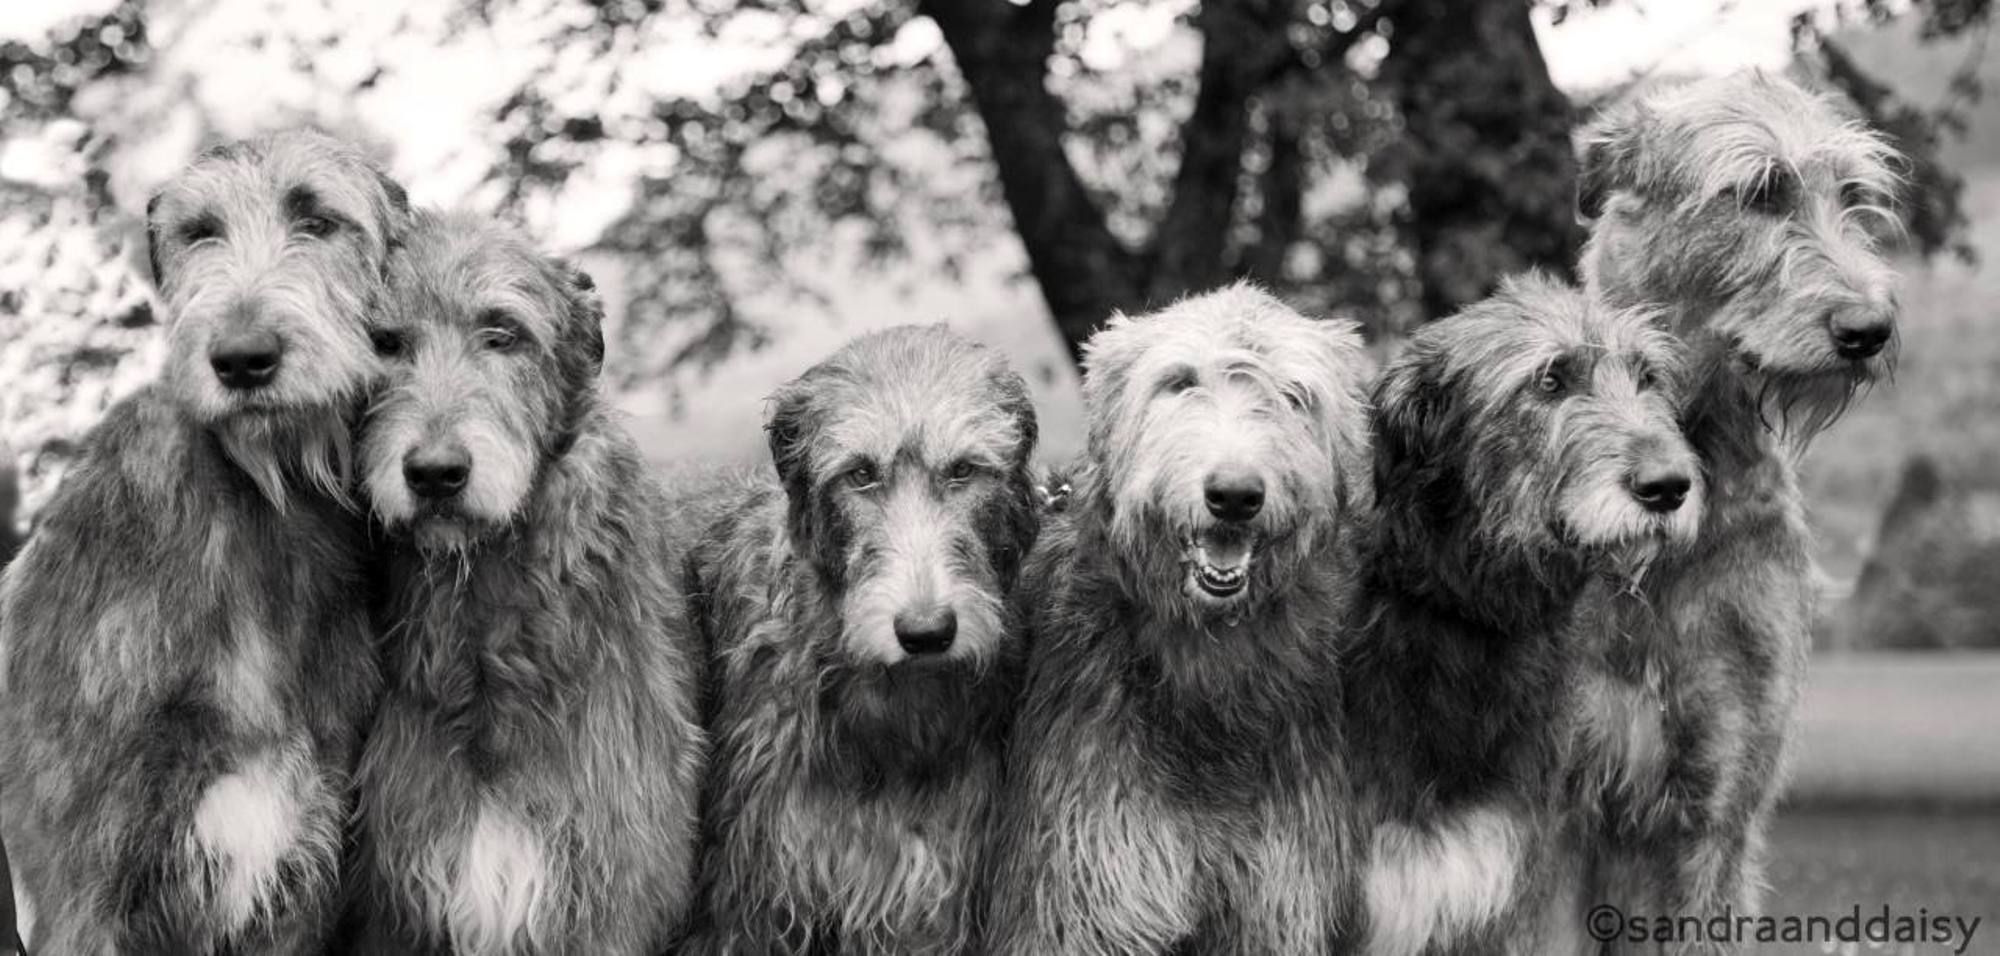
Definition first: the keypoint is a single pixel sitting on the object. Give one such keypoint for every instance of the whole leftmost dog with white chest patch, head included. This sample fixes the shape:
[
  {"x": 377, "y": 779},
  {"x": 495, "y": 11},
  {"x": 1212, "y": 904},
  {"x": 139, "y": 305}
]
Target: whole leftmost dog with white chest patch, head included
[{"x": 187, "y": 653}]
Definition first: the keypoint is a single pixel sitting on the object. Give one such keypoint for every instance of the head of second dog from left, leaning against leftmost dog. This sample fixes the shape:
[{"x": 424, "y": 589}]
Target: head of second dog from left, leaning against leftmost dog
[{"x": 493, "y": 355}]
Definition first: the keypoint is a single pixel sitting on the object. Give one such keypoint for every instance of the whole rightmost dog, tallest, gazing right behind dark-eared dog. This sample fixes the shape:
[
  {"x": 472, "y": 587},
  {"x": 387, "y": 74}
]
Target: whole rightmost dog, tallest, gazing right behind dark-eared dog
[{"x": 1741, "y": 207}]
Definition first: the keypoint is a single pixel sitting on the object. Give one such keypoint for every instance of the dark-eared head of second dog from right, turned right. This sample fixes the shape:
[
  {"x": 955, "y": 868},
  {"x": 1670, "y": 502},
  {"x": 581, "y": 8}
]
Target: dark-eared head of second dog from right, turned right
[{"x": 1531, "y": 433}]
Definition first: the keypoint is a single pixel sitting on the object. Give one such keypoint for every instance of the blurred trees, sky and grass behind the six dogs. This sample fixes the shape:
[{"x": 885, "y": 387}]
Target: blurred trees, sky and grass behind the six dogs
[{"x": 755, "y": 183}]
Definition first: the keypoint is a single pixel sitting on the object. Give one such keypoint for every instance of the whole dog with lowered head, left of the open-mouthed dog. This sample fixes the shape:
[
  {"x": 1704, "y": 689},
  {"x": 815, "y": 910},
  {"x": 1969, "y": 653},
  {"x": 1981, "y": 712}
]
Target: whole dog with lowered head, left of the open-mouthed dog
[{"x": 865, "y": 659}]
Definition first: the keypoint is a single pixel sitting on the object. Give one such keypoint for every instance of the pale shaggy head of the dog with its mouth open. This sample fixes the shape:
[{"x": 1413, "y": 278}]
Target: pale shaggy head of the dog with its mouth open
[{"x": 1227, "y": 447}]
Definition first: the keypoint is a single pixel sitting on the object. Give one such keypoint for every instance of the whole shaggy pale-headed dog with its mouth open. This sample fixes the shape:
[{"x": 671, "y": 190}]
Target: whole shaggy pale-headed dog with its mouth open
[{"x": 1175, "y": 779}]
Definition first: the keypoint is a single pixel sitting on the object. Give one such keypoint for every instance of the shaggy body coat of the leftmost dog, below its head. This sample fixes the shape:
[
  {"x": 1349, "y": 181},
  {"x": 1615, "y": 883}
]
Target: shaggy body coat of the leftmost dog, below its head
[{"x": 175, "y": 643}]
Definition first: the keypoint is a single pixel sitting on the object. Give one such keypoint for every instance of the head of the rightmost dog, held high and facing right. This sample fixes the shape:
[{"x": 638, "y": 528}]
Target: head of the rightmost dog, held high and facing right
[{"x": 1753, "y": 209}]
